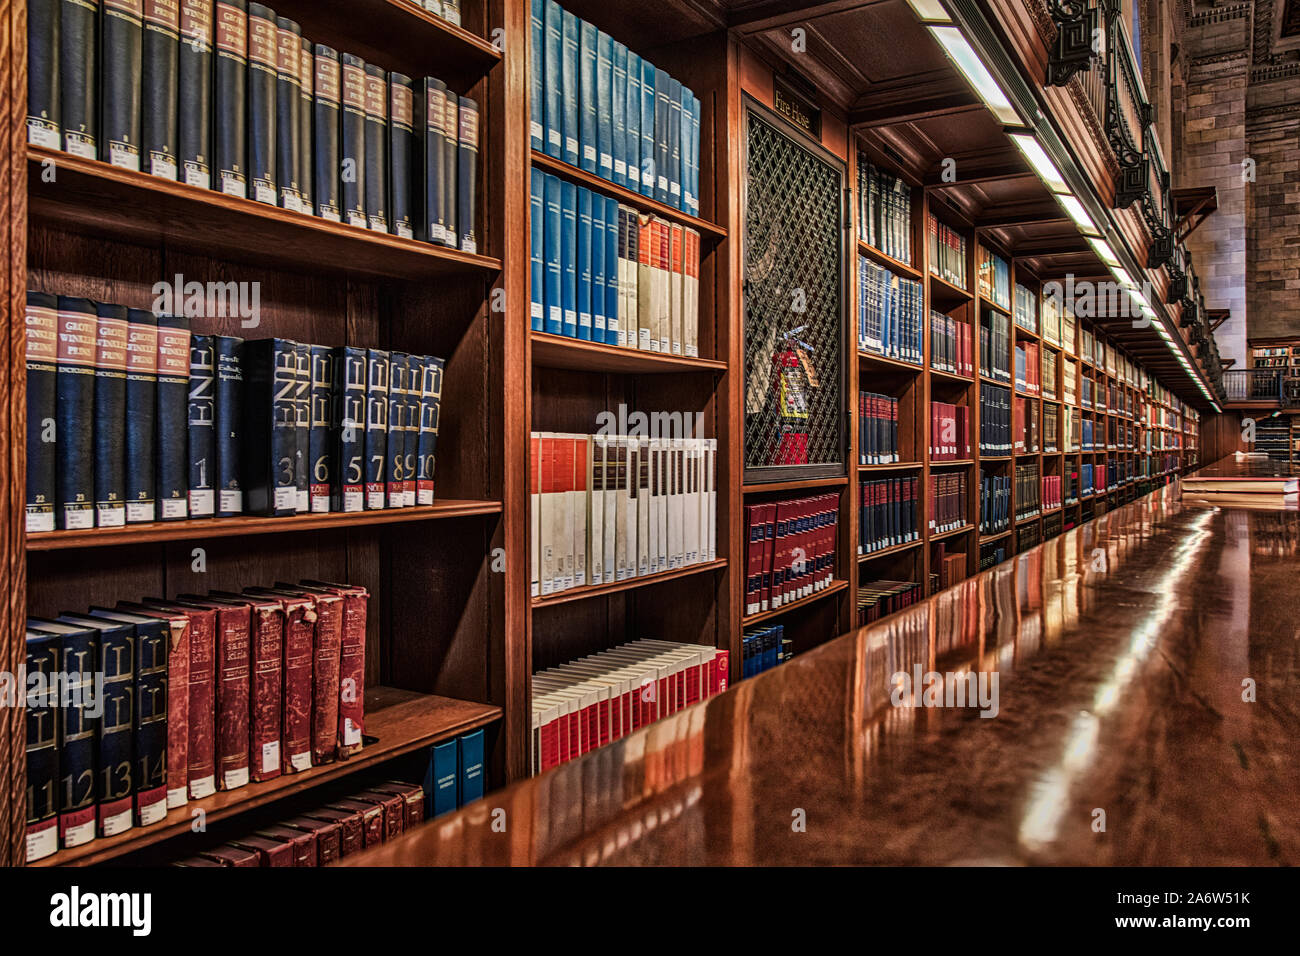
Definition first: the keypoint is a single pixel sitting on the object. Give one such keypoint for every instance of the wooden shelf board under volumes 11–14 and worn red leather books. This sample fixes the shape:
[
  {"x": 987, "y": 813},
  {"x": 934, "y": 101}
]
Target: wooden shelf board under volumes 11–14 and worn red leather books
[{"x": 401, "y": 721}]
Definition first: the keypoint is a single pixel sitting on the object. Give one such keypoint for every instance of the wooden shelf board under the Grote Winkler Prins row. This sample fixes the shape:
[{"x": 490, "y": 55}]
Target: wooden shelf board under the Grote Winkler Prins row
[{"x": 244, "y": 526}]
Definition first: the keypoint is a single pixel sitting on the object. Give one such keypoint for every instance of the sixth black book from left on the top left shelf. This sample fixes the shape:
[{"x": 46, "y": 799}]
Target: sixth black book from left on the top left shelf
[{"x": 229, "y": 98}]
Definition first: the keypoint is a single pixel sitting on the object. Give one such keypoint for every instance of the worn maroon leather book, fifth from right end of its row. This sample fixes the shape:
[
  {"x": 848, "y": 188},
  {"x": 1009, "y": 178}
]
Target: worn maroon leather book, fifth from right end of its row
[{"x": 233, "y": 663}]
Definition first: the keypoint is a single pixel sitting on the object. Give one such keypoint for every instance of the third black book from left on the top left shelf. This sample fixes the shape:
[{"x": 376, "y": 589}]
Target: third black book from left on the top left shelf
[{"x": 122, "y": 50}]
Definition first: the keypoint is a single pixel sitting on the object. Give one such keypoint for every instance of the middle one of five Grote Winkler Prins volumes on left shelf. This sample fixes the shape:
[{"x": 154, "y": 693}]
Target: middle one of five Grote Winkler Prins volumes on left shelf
[{"x": 111, "y": 334}]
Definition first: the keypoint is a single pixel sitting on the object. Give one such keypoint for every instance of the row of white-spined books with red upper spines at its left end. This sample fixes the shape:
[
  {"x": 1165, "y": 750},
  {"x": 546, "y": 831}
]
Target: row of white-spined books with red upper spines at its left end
[{"x": 610, "y": 508}]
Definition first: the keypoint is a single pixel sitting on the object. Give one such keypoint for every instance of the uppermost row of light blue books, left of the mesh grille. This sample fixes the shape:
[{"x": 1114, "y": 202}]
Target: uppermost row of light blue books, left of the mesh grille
[{"x": 600, "y": 107}]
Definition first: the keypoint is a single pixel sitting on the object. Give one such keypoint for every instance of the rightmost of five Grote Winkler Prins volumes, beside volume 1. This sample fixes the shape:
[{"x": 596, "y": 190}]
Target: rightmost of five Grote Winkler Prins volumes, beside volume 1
[{"x": 172, "y": 421}]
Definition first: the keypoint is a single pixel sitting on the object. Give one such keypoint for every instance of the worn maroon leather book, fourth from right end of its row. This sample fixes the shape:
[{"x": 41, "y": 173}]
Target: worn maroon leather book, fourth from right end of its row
[{"x": 267, "y": 648}]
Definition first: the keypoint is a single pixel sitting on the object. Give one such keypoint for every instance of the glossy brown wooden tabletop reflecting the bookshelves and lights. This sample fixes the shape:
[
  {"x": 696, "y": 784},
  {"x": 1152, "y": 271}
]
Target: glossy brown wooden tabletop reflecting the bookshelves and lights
[{"x": 1149, "y": 713}]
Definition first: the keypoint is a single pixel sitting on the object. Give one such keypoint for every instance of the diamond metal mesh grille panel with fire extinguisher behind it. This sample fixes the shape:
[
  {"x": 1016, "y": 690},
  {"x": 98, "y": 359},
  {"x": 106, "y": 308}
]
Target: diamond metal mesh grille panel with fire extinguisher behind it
[{"x": 794, "y": 304}]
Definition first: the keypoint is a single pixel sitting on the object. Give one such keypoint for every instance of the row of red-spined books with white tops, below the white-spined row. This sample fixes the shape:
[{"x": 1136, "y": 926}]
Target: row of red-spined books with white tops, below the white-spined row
[{"x": 604, "y": 698}]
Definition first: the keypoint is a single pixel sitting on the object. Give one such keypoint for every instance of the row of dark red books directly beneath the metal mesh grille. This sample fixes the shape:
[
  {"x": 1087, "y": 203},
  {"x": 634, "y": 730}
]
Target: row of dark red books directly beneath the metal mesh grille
[{"x": 790, "y": 551}]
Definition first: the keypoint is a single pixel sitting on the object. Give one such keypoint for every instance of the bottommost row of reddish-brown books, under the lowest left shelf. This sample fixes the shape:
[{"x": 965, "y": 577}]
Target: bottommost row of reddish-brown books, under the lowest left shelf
[{"x": 320, "y": 837}]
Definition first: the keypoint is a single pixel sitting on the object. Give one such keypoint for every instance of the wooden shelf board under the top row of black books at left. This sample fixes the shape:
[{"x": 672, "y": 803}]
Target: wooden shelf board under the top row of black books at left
[{"x": 119, "y": 205}]
